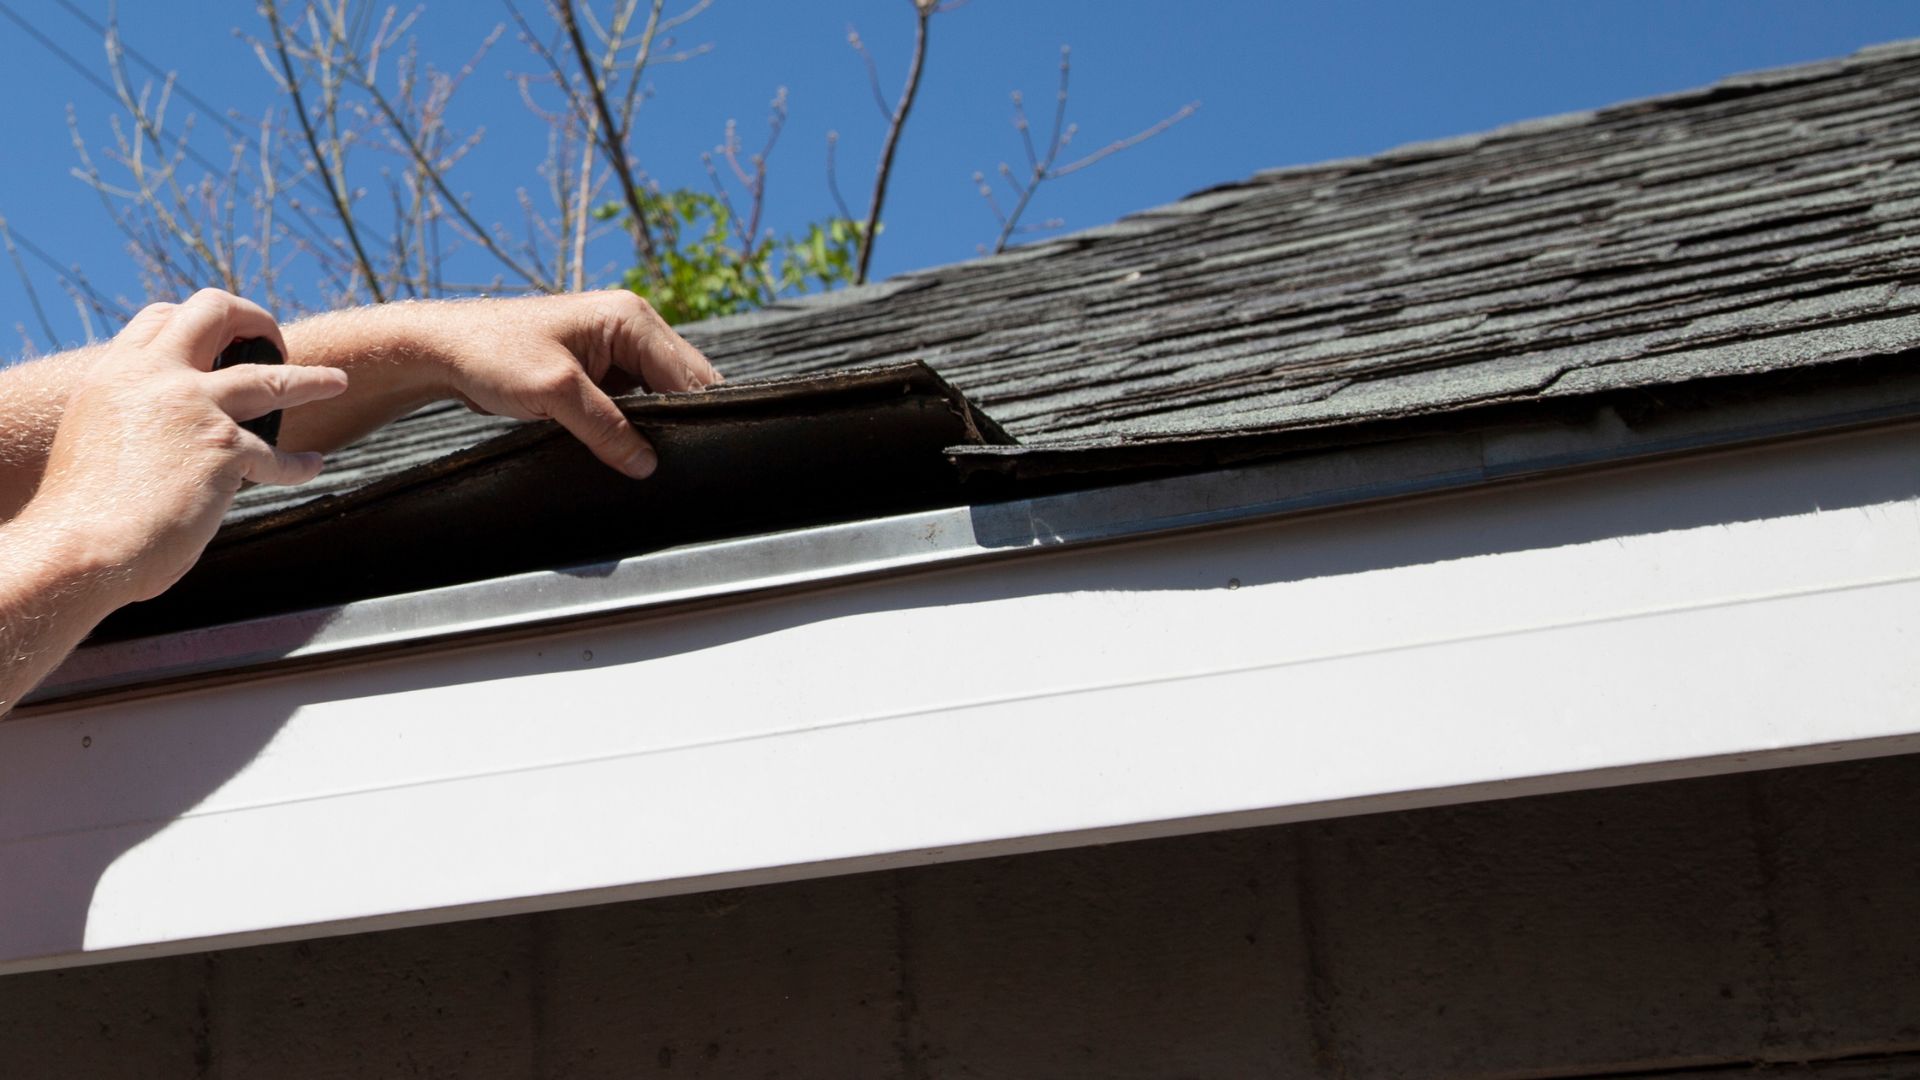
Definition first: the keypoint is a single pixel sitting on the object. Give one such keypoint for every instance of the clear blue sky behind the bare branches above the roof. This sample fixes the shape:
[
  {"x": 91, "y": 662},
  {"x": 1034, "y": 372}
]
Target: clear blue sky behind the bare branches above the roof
[{"x": 1278, "y": 84}]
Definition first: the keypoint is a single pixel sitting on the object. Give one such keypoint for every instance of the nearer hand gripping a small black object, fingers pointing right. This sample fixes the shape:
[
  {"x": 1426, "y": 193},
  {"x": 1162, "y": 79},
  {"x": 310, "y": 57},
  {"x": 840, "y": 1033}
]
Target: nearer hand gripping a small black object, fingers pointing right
[{"x": 151, "y": 451}]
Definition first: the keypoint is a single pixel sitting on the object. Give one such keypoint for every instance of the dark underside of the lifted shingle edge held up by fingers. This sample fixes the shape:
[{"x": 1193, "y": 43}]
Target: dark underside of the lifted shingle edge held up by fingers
[{"x": 752, "y": 458}]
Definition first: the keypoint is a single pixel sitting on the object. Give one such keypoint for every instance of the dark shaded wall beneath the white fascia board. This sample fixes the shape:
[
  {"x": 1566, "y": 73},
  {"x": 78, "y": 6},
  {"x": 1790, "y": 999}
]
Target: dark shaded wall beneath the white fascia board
[{"x": 1752, "y": 920}]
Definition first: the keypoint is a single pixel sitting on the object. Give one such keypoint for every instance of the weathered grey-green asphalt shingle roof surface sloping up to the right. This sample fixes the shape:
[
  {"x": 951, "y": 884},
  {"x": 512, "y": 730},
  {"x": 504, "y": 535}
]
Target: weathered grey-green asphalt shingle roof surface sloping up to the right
[{"x": 1754, "y": 226}]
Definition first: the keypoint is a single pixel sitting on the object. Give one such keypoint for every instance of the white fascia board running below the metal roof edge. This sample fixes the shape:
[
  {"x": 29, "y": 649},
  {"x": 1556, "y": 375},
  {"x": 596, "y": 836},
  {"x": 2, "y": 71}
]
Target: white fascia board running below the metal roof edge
[{"x": 1696, "y": 616}]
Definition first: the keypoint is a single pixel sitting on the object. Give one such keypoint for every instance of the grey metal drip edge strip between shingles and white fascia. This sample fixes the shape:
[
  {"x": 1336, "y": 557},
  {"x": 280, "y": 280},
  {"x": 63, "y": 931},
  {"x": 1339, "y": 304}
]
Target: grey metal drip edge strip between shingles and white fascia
[{"x": 731, "y": 572}]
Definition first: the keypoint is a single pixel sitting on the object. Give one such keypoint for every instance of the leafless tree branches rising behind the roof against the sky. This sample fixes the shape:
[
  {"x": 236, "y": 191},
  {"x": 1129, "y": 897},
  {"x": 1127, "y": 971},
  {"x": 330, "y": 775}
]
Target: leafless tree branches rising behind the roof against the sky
[{"x": 360, "y": 87}]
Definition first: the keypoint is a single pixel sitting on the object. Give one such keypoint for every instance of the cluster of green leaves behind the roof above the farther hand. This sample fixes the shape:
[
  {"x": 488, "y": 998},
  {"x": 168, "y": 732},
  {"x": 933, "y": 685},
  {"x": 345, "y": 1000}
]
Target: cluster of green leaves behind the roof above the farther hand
[{"x": 711, "y": 266}]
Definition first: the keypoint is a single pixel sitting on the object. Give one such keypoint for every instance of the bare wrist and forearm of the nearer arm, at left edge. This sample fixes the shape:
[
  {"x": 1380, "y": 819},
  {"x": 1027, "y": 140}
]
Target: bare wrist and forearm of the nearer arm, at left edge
[{"x": 55, "y": 589}]
